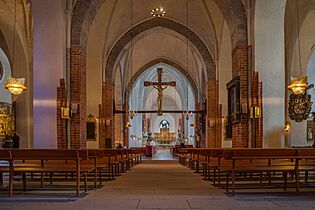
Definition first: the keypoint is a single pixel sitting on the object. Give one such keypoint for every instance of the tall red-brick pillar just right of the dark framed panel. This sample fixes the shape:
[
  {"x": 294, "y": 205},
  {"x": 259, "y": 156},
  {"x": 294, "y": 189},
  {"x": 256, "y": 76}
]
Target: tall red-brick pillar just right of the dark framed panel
[{"x": 240, "y": 68}]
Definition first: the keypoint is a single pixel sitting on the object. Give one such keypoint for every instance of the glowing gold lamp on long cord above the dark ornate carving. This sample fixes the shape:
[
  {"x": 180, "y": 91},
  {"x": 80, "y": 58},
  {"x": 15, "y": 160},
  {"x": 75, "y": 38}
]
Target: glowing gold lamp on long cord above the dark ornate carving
[{"x": 298, "y": 84}]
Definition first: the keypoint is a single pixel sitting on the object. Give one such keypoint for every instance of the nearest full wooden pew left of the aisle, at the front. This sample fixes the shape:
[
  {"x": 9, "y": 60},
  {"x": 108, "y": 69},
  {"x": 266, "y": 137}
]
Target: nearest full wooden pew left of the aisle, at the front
[{"x": 68, "y": 161}]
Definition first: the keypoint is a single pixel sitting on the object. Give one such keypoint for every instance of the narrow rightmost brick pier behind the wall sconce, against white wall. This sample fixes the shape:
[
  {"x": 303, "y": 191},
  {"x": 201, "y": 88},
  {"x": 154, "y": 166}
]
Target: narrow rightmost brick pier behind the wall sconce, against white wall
[{"x": 257, "y": 124}]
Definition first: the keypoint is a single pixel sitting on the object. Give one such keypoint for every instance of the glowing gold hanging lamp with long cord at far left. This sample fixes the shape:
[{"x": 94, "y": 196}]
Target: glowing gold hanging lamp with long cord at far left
[{"x": 15, "y": 85}]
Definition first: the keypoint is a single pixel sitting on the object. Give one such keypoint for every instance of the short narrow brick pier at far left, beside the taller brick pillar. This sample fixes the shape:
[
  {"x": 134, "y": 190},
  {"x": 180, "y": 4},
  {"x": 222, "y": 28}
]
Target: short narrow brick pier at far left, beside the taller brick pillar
[{"x": 61, "y": 123}]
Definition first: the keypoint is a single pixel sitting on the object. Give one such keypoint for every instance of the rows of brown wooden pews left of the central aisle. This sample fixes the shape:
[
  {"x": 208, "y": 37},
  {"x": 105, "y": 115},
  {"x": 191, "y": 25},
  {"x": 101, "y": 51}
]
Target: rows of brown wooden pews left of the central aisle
[{"x": 77, "y": 163}]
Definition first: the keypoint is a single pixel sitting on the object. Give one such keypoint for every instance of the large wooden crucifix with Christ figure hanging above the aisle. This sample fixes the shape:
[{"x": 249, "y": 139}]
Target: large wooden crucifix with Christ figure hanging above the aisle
[{"x": 160, "y": 86}]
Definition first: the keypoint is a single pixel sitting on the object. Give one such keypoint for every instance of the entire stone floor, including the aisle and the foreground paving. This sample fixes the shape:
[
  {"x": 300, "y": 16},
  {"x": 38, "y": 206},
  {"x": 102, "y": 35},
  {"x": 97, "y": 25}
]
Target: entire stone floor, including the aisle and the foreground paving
[{"x": 158, "y": 184}]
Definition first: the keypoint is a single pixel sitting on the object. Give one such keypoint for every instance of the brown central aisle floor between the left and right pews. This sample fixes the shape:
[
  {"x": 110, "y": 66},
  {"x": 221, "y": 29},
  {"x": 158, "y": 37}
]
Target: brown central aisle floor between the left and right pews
[{"x": 160, "y": 177}]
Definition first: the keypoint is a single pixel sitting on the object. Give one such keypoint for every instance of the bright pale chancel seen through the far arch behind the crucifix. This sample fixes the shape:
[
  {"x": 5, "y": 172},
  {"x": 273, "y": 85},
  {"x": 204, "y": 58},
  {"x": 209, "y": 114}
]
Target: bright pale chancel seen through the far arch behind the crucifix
[{"x": 175, "y": 100}]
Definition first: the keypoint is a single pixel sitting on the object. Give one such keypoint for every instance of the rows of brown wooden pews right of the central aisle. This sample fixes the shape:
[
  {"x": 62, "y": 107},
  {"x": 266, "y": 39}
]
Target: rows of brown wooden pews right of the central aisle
[{"x": 260, "y": 164}]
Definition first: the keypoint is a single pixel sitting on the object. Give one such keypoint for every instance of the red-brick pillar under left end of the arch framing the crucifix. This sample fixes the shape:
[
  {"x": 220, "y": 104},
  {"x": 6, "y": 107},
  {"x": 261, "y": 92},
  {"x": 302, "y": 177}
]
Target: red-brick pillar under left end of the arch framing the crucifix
[{"x": 108, "y": 110}]
